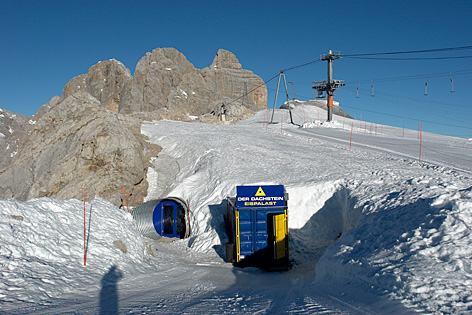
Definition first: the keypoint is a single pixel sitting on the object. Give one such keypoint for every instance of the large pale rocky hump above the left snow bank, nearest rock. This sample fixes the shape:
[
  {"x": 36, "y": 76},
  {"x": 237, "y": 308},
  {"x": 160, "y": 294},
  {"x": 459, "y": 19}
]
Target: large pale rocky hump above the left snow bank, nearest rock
[{"x": 78, "y": 142}]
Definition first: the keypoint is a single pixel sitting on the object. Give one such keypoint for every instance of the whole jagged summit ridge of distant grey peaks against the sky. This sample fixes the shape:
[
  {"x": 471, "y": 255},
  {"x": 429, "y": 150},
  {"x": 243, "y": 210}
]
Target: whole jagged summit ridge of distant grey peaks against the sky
[{"x": 164, "y": 78}]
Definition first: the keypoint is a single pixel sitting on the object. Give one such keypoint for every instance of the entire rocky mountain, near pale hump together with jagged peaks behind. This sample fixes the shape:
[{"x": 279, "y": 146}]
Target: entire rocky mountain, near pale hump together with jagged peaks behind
[{"x": 92, "y": 134}]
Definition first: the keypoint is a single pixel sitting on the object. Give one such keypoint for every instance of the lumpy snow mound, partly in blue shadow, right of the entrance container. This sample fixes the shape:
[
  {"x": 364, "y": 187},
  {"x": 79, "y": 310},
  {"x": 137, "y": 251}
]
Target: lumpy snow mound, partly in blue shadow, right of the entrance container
[{"x": 412, "y": 245}]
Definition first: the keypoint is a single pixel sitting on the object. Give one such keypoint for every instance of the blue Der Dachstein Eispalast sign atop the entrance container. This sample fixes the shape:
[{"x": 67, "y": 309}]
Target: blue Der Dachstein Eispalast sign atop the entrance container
[{"x": 260, "y": 196}]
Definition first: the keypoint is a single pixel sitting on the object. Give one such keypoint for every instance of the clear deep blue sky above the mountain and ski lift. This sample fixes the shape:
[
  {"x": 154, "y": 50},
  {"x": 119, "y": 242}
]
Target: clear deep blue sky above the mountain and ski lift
[{"x": 46, "y": 43}]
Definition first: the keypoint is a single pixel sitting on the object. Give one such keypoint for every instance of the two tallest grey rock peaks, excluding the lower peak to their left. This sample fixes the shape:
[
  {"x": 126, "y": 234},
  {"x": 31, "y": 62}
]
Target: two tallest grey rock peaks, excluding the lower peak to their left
[{"x": 166, "y": 79}]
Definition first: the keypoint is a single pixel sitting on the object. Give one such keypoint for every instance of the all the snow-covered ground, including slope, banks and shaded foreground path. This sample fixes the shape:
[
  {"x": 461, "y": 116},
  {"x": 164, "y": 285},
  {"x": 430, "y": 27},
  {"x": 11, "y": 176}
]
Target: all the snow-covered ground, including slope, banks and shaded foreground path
[{"x": 372, "y": 229}]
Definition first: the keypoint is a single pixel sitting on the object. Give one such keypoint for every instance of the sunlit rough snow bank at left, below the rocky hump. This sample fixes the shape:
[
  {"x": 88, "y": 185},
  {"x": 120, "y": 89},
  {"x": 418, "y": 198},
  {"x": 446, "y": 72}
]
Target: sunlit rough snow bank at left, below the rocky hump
[{"x": 42, "y": 249}]
